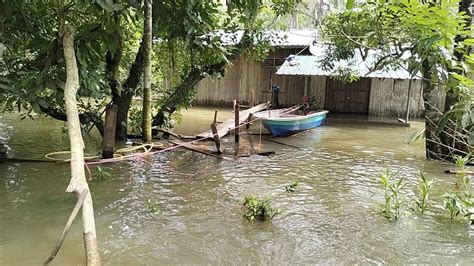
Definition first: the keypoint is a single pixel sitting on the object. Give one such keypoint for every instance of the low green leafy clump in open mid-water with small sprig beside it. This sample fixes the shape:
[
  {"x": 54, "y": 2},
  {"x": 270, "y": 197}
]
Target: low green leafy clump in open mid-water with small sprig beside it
[{"x": 261, "y": 209}]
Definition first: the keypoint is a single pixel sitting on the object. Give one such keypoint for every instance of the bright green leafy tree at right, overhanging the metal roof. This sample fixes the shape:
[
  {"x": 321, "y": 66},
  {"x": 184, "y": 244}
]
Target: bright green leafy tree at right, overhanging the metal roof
[{"x": 421, "y": 37}]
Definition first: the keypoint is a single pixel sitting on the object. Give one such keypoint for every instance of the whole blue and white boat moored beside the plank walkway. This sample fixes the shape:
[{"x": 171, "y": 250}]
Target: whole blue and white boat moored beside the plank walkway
[{"x": 287, "y": 121}]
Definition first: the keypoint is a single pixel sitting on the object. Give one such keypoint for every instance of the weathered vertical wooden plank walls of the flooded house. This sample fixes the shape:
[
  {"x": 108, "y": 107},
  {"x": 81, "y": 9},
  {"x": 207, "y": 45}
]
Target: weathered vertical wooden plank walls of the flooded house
[{"x": 248, "y": 80}]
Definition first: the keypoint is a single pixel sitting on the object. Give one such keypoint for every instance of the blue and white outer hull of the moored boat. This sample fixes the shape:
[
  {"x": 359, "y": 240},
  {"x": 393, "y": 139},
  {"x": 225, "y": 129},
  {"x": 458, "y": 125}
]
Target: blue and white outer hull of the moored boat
[{"x": 284, "y": 126}]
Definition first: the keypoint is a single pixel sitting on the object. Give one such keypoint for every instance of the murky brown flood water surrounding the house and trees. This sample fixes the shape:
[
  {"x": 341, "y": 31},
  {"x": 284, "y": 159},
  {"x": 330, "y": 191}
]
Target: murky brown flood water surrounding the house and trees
[{"x": 181, "y": 207}]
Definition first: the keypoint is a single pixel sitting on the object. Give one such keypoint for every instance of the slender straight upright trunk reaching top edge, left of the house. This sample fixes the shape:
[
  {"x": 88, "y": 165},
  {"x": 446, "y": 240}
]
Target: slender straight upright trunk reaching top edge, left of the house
[{"x": 146, "y": 116}]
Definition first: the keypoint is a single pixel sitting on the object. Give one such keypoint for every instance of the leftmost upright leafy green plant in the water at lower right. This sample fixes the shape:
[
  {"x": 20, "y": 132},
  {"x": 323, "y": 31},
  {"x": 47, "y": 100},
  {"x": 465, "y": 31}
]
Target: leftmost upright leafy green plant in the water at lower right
[{"x": 394, "y": 199}]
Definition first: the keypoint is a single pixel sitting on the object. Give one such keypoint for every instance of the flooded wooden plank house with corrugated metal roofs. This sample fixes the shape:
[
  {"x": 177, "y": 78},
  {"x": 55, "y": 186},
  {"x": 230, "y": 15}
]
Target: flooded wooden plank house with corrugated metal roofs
[{"x": 379, "y": 93}]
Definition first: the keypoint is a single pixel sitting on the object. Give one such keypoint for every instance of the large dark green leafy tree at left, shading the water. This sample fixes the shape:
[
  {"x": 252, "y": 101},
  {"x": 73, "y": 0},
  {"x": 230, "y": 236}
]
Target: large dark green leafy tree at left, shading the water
[{"x": 110, "y": 65}]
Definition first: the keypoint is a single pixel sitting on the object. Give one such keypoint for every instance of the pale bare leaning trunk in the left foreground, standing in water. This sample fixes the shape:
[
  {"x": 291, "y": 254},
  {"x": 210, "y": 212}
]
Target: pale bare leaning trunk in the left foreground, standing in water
[{"x": 78, "y": 181}]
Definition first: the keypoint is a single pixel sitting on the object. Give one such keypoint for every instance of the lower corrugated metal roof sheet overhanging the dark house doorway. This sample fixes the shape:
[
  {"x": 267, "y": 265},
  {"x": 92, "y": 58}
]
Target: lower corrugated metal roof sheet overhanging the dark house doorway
[{"x": 310, "y": 66}]
